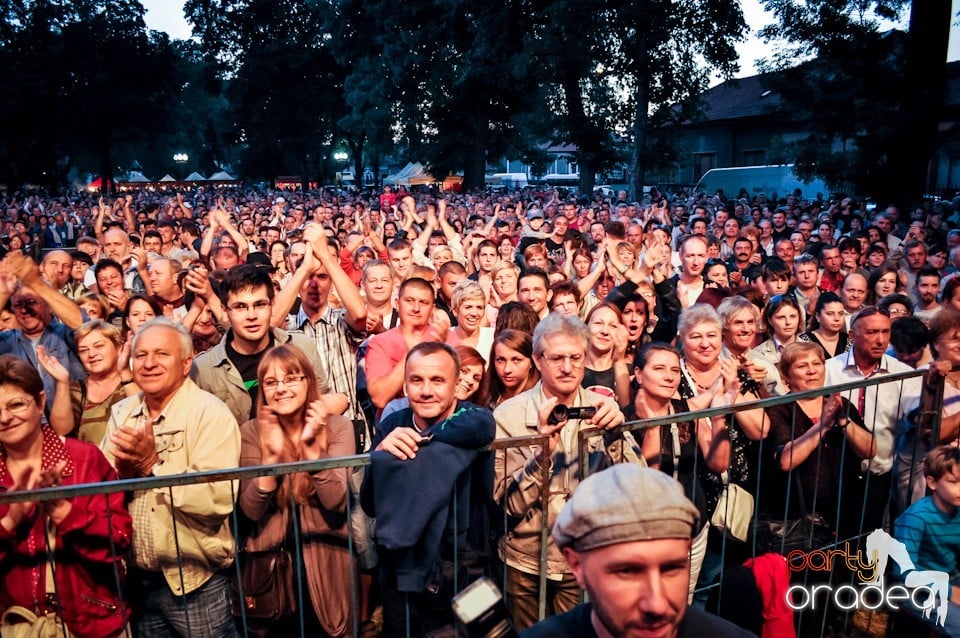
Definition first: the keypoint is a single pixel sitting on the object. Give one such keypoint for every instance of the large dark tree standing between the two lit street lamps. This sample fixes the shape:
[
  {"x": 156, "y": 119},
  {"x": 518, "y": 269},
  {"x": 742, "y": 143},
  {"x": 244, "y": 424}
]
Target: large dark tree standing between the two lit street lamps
[{"x": 285, "y": 88}]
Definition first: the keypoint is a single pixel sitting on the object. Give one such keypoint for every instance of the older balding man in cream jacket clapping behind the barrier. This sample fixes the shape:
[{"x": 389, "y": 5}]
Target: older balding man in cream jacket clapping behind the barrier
[{"x": 181, "y": 536}]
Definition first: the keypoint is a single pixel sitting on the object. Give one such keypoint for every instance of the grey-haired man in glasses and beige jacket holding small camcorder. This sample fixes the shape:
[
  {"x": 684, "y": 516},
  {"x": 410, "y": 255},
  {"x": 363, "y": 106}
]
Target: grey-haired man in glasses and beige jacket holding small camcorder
[{"x": 559, "y": 407}]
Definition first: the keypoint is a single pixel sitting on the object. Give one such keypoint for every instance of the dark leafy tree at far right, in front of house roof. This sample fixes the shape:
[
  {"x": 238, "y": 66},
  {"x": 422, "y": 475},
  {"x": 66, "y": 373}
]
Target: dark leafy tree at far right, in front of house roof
[{"x": 870, "y": 100}]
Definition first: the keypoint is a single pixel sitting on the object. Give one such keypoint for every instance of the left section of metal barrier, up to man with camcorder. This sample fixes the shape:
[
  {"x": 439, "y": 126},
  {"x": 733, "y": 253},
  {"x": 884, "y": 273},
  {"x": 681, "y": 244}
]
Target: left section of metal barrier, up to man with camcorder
[{"x": 284, "y": 469}]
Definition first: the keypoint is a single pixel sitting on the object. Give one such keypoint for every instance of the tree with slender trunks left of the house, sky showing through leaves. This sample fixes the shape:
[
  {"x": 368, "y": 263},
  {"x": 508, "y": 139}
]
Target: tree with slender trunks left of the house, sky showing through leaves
[{"x": 613, "y": 63}]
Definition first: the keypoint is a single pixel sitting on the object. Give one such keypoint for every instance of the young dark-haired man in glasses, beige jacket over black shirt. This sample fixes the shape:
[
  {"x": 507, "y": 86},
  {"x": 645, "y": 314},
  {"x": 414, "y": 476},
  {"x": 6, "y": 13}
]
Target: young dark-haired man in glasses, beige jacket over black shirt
[{"x": 229, "y": 369}]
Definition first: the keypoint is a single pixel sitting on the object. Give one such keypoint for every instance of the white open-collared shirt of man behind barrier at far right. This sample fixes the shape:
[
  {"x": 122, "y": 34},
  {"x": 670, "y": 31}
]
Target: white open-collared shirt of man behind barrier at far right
[{"x": 885, "y": 404}]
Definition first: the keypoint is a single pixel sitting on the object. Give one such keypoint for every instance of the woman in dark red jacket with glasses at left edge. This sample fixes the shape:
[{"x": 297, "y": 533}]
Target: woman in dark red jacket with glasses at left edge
[{"x": 59, "y": 556}]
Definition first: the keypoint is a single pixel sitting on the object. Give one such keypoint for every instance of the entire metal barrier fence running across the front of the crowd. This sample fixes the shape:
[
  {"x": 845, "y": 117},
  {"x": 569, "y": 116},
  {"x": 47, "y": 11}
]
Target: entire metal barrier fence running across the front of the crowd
[{"x": 803, "y": 619}]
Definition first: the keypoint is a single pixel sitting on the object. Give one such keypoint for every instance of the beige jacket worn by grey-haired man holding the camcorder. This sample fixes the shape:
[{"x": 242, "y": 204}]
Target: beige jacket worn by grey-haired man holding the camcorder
[{"x": 518, "y": 471}]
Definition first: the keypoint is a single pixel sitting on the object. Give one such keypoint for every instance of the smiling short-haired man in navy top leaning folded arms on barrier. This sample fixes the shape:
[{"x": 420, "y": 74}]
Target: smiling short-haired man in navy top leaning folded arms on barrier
[{"x": 419, "y": 488}]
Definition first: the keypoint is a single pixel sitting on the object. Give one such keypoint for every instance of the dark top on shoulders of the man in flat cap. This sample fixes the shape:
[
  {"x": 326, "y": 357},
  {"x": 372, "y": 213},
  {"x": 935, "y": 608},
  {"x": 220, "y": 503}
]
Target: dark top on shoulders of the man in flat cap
[{"x": 576, "y": 623}]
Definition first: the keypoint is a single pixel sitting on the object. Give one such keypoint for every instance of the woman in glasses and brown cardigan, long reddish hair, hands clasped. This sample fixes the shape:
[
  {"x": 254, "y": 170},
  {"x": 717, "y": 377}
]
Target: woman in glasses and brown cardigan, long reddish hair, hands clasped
[{"x": 292, "y": 424}]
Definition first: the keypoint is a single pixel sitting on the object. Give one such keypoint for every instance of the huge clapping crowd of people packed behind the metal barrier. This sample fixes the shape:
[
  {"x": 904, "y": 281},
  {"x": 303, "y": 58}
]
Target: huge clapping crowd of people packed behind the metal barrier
[{"x": 155, "y": 335}]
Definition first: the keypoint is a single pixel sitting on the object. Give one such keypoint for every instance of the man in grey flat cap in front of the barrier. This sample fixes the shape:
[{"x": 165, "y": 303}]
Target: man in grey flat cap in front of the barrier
[{"x": 626, "y": 535}]
